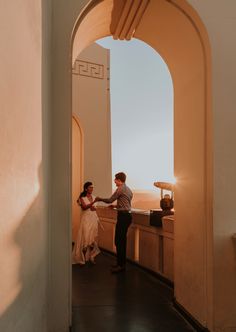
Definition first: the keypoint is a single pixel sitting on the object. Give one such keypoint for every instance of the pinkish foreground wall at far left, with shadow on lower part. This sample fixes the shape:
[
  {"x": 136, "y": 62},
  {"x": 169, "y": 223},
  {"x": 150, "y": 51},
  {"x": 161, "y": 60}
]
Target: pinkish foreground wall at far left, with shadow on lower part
[{"x": 23, "y": 169}]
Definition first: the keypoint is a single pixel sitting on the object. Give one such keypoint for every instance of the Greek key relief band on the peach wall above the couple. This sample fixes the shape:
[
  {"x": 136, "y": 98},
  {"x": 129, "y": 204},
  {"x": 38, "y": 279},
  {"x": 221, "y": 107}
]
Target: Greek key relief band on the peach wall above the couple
[{"x": 88, "y": 69}]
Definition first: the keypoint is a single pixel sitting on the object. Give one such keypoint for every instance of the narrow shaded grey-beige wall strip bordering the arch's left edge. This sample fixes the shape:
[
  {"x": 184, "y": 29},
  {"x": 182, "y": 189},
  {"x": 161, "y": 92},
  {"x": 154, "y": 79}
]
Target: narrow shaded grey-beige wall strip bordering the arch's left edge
[{"x": 59, "y": 292}]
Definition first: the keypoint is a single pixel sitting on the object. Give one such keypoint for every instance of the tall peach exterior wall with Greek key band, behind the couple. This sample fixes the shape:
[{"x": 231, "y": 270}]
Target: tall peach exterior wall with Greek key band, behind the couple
[{"x": 91, "y": 103}]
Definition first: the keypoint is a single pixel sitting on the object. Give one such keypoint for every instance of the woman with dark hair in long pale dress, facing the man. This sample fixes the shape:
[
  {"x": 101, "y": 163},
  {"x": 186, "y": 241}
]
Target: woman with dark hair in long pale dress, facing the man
[{"x": 86, "y": 248}]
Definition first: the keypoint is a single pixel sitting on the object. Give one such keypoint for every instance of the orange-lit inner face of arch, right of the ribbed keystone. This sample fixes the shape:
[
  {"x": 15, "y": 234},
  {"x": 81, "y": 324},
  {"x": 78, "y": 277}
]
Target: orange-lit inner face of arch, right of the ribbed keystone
[{"x": 161, "y": 22}]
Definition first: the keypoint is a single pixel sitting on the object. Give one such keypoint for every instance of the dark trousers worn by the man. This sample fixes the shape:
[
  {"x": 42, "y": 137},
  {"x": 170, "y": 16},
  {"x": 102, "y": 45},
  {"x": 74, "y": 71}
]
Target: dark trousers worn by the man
[{"x": 124, "y": 219}]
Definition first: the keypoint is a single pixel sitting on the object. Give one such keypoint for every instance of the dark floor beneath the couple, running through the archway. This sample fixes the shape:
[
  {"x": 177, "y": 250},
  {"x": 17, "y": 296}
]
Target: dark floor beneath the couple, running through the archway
[{"x": 132, "y": 301}]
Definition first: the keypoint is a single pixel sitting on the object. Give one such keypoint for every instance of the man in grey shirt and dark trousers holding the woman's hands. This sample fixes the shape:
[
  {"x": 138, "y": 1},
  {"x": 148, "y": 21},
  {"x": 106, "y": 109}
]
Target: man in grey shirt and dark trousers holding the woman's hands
[{"x": 123, "y": 195}]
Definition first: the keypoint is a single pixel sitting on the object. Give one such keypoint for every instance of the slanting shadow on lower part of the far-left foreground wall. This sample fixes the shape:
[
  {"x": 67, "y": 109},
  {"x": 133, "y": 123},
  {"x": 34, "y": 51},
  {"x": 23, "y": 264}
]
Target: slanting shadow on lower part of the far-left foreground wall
[{"x": 27, "y": 312}]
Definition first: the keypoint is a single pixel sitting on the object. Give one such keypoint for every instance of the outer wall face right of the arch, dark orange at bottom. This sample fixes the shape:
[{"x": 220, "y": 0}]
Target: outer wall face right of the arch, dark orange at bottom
[{"x": 220, "y": 20}]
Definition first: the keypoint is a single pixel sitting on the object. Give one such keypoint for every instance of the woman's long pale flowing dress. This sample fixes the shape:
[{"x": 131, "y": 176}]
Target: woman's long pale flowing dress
[{"x": 86, "y": 247}]
